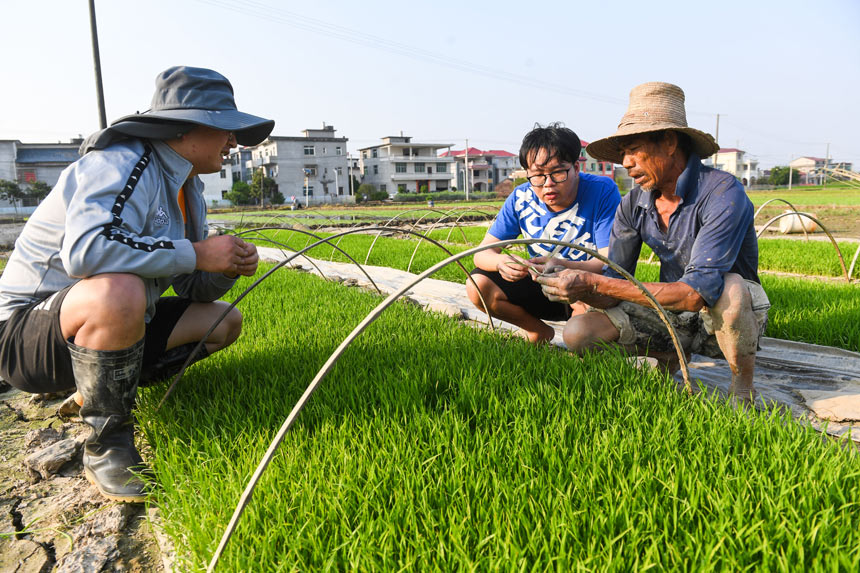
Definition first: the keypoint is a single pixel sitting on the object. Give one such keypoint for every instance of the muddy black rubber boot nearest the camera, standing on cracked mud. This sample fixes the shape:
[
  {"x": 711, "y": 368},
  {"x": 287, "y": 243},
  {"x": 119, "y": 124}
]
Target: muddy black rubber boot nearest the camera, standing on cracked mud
[{"x": 107, "y": 381}]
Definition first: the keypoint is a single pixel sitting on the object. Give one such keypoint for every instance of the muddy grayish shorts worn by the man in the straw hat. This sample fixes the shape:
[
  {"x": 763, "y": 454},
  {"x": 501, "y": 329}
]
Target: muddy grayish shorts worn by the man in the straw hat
[{"x": 642, "y": 327}]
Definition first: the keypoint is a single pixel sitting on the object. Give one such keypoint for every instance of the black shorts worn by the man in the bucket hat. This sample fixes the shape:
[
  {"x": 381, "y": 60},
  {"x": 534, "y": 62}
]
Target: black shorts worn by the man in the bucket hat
[{"x": 34, "y": 357}]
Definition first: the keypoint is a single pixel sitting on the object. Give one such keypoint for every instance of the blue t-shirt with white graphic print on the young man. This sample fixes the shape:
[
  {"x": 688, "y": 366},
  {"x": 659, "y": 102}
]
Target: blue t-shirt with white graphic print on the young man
[{"x": 587, "y": 222}]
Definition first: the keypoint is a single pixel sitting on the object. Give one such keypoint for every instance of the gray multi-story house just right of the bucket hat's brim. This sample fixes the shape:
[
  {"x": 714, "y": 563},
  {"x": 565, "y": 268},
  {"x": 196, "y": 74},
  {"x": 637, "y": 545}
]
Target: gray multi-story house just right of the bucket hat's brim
[{"x": 309, "y": 170}]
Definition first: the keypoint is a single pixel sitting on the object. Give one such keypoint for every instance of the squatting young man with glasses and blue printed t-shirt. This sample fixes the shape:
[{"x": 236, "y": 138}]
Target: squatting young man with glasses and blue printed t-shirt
[{"x": 557, "y": 203}]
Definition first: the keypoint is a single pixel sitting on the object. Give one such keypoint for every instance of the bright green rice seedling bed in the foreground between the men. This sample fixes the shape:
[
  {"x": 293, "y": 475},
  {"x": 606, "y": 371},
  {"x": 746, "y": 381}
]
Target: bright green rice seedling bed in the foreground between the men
[{"x": 433, "y": 446}]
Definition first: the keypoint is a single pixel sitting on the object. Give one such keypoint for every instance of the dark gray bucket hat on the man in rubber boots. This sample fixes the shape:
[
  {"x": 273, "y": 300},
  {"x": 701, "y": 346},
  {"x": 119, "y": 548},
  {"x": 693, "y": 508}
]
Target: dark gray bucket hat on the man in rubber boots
[{"x": 196, "y": 96}]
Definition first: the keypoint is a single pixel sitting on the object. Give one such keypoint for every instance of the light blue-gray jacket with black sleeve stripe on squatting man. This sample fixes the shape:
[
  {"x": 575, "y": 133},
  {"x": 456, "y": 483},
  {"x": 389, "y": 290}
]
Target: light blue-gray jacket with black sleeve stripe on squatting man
[{"x": 114, "y": 210}]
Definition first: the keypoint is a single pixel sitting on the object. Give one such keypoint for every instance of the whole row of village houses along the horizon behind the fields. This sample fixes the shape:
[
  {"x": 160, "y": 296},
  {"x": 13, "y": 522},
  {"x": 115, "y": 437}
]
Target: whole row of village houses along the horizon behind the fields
[{"x": 316, "y": 167}]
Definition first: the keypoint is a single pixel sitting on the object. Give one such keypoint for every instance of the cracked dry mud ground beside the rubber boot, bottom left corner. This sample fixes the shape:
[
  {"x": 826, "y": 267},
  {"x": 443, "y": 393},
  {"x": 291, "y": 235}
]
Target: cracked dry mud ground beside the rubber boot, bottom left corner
[{"x": 51, "y": 518}]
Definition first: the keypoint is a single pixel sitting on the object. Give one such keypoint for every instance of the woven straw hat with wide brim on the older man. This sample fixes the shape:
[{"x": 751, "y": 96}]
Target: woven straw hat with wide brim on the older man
[{"x": 654, "y": 106}]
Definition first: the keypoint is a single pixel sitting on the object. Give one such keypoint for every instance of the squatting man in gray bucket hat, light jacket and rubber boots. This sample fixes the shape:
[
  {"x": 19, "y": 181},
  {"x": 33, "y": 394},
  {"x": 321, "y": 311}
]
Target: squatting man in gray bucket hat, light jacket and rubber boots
[{"x": 80, "y": 298}]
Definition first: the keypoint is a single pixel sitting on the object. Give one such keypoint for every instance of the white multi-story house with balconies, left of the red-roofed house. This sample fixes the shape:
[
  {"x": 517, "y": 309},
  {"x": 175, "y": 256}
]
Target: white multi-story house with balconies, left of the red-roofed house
[{"x": 399, "y": 165}]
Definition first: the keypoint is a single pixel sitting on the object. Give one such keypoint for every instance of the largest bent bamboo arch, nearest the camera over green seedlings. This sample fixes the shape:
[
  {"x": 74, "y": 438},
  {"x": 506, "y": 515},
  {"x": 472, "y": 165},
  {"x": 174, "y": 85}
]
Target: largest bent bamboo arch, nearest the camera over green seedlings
[{"x": 373, "y": 315}]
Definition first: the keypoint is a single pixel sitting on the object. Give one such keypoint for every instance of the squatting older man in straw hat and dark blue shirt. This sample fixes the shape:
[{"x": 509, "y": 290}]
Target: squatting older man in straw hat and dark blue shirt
[{"x": 699, "y": 223}]
